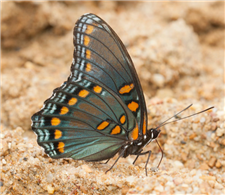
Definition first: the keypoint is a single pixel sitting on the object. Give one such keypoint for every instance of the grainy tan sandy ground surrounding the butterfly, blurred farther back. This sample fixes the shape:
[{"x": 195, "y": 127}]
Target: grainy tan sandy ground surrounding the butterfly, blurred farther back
[{"x": 178, "y": 50}]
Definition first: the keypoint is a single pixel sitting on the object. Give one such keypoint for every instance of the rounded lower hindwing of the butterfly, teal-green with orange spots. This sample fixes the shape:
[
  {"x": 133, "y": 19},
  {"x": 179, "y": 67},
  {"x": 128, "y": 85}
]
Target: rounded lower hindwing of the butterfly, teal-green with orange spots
[{"x": 70, "y": 124}]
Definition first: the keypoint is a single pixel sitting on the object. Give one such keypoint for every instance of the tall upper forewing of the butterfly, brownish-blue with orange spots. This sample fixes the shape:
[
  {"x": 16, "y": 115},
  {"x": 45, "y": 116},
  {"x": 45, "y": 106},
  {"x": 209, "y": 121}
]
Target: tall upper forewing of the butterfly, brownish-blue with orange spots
[{"x": 110, "y": 62}]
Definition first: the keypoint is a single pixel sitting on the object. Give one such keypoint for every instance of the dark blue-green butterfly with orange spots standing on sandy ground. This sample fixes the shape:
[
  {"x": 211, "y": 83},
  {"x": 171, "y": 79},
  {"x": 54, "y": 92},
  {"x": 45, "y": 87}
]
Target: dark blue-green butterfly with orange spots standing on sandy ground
[{"x": 100, "y": 110}]
